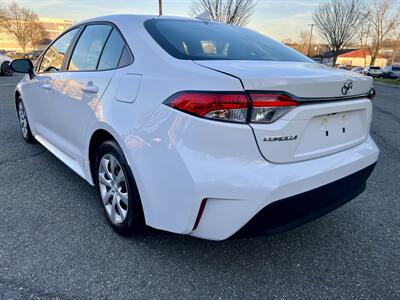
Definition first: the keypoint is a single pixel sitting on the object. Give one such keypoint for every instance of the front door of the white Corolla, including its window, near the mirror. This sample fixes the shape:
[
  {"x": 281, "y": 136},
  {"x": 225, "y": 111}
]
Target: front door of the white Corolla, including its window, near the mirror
[{"x": 38, "y": 92}]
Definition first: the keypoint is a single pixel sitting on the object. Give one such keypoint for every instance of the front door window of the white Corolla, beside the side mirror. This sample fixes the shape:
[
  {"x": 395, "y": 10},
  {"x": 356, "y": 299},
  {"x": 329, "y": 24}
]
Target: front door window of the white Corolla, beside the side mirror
[{"x": 53, "y": 58}]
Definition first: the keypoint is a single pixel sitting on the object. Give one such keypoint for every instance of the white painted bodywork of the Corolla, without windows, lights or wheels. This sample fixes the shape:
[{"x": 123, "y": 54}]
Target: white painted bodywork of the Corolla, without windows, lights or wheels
[{"x": 177, "y": 159}]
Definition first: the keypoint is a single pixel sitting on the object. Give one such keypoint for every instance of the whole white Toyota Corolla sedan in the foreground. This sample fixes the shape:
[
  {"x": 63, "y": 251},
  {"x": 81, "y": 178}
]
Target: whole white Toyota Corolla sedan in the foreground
[{"x": 198, "y": 127}]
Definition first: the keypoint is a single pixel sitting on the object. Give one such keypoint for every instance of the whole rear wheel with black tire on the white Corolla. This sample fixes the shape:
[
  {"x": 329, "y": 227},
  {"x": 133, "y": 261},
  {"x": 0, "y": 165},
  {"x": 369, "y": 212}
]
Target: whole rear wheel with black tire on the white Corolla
[{"x": 119, "y": 197}]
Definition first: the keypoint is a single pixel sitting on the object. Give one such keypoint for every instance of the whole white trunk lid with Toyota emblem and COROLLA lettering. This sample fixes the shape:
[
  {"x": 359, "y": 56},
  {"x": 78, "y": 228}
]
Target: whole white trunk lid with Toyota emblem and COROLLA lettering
[{"x": 325, "y": 121}]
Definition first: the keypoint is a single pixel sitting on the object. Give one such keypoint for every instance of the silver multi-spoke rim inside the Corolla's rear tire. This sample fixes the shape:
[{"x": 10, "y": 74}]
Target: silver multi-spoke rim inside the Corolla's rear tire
[{"x": 113, "y": 189}]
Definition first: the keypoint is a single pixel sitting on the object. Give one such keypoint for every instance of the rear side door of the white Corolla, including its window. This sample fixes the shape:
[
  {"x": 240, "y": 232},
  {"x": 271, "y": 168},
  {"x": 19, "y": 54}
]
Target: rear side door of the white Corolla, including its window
[{"x": 91, "y": 66}]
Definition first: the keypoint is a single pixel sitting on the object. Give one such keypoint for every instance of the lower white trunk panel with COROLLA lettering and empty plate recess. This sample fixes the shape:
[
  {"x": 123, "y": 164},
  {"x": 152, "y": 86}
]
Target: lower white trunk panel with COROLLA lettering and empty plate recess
[{"x": 321, "y": 129}]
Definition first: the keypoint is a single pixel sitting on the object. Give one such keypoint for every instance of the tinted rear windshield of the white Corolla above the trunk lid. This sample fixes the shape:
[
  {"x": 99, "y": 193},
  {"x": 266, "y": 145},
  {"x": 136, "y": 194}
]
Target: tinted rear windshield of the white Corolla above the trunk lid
[{"x": 200, "y": 40}]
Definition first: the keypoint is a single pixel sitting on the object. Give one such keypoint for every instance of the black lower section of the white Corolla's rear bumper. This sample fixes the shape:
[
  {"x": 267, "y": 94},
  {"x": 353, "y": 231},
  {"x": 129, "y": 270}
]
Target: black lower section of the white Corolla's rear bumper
[{"x": 293, "y": 211}]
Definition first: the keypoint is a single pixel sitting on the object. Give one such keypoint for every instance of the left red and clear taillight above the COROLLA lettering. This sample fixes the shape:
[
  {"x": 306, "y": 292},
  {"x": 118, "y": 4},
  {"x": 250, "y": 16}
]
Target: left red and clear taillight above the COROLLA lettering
[{"x": 233, "y": 107}]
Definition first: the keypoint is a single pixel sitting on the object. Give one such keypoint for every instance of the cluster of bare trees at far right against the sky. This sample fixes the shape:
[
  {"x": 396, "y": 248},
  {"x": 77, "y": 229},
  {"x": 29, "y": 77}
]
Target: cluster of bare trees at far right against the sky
[{"x": 365, "y": 22}]
